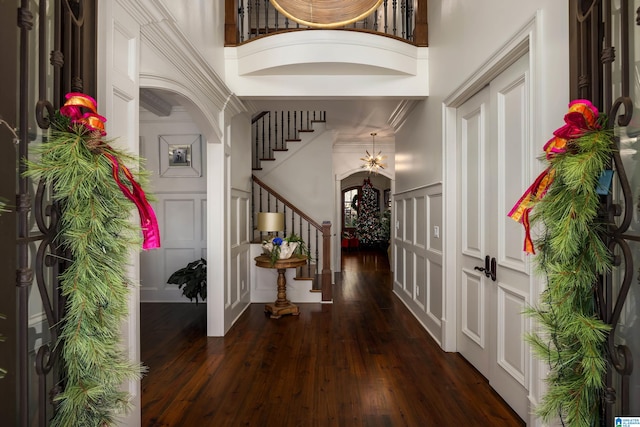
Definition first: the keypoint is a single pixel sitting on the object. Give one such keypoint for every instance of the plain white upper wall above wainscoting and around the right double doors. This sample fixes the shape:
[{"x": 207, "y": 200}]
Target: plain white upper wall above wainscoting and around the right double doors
[{"x": 463, "y": 36}]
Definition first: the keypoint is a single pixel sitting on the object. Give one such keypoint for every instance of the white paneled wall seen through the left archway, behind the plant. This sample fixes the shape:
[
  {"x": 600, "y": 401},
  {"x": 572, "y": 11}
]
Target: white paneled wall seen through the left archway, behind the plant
[{"x": 180, "y": 204}]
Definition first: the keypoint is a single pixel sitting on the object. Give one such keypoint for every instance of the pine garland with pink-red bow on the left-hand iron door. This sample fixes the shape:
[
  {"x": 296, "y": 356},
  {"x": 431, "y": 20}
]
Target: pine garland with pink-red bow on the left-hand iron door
[{"x": 94, "y": 189}]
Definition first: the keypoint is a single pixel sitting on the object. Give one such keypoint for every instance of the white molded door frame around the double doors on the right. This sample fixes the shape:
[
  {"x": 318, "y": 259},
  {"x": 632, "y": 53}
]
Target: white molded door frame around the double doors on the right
[{"x": 525, "y": 42}]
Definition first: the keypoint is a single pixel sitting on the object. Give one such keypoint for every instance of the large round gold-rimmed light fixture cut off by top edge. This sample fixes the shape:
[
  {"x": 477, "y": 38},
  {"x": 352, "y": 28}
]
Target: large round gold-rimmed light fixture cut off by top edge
[{"x": 326, "y": 13}]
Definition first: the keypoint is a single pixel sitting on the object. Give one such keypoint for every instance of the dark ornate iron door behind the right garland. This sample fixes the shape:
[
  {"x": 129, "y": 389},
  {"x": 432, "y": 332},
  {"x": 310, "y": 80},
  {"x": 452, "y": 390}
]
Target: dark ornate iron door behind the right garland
[{"x": 603, "y": 34}]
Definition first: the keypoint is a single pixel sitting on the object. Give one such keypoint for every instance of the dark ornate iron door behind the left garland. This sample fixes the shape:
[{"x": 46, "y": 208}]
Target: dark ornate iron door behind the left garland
[{"x": 56, "y": 56}]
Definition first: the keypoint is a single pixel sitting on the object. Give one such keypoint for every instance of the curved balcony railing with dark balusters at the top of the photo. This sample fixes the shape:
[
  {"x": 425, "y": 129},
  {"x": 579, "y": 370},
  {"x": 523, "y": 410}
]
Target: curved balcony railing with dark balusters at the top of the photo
[{"x": 246, "y": 20}]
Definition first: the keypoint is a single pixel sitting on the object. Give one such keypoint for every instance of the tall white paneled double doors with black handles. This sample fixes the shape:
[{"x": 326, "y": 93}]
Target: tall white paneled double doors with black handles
[{"x": 493, "y": 129}]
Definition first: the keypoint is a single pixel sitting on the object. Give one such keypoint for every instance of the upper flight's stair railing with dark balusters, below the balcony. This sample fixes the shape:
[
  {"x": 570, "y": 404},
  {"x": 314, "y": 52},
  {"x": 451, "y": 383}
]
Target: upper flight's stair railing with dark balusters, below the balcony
[{"x": 271, "y": 131}]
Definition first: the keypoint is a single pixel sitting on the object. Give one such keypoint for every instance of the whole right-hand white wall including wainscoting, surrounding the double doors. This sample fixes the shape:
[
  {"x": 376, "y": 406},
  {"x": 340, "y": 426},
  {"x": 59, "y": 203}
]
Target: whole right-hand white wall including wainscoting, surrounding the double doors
[{"x": 463, "y": 37}]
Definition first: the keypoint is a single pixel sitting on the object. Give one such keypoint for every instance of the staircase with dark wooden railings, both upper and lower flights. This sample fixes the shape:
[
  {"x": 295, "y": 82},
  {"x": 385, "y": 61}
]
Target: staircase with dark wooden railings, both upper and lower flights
[{"x": 279, "y": 131}]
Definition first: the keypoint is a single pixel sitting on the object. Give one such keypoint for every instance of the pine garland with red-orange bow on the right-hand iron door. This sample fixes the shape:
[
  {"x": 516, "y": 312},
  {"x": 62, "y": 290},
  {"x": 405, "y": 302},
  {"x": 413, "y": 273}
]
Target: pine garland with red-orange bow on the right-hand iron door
[{"x": 566, "y": 198}]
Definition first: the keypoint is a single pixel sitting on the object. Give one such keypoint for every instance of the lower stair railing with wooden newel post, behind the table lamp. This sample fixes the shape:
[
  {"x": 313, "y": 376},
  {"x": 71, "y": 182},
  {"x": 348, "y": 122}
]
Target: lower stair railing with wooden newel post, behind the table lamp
[{"x": 316, "y": 236}]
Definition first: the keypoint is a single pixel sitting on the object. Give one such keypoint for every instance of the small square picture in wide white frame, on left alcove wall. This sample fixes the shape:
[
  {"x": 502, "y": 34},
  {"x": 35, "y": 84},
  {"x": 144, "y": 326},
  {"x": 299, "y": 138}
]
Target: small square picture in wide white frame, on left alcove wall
[{"x": 180, "y": 155}]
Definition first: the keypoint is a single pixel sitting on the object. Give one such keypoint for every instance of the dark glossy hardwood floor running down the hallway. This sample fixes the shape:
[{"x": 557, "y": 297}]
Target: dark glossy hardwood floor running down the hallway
[{"x": 362, "y": 361}]
